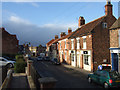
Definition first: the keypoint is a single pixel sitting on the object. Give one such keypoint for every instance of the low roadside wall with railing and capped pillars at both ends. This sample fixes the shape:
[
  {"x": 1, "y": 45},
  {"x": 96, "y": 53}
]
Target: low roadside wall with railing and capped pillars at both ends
[{"x": 39, "y": 80}]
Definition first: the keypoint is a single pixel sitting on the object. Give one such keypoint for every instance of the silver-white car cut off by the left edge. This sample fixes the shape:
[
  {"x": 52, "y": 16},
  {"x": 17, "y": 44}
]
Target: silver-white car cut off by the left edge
[{"x": 4, "y": 61}]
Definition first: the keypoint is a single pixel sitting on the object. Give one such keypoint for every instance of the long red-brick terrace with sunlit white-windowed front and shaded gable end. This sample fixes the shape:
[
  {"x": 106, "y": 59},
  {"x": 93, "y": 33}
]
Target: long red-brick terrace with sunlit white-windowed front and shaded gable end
[{"x": 88, "y": 46}]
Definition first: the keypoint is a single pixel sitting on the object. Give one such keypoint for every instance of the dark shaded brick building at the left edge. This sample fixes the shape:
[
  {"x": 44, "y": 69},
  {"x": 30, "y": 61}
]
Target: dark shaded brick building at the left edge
[{"x": 9, "y": 42}]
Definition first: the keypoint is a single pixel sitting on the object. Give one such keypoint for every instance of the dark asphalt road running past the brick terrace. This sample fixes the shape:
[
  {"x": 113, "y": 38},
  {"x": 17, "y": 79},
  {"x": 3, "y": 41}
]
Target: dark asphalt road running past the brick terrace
[{"x": 67, "y": 77}]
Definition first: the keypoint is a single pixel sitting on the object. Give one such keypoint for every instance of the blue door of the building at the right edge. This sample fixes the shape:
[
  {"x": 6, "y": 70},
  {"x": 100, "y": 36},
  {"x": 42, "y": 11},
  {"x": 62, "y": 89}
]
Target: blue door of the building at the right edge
[{"x": 114, "y": 61}]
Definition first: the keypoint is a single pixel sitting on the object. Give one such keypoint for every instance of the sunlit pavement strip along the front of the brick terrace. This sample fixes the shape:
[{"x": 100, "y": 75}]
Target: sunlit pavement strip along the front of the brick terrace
[{"x": 76, "y": 68}]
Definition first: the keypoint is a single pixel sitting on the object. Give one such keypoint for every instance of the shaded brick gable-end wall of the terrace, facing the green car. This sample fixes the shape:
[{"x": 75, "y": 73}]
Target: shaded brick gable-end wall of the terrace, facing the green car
[{"x": 101, "y": 42}]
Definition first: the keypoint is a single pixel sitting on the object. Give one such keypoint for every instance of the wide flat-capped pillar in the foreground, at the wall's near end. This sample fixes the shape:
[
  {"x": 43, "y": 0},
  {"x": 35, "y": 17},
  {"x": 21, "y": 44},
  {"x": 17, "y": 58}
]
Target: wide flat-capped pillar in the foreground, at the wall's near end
[{"x": 47, "y": 82}]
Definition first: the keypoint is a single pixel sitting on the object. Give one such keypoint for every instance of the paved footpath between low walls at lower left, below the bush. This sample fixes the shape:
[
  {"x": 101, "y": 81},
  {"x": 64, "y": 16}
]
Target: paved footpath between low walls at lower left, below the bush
[{"x": 19, "y": 80}]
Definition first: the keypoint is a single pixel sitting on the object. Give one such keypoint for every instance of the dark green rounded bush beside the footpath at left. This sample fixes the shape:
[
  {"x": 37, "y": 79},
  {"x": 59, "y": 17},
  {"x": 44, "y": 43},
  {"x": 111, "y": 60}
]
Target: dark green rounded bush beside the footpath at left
[{"x": 20, "y": 66}]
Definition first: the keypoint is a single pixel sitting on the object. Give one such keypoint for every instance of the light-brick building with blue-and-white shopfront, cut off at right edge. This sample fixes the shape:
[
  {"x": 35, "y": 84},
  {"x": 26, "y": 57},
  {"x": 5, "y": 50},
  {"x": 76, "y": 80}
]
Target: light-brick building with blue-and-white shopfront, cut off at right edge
[{"x": 115, "y": 45}]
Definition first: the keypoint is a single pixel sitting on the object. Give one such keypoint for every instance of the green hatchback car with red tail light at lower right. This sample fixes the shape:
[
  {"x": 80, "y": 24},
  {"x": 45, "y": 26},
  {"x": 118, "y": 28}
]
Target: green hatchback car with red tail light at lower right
[{"x": 106, "y": 78}]
